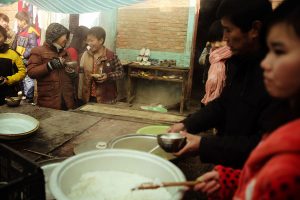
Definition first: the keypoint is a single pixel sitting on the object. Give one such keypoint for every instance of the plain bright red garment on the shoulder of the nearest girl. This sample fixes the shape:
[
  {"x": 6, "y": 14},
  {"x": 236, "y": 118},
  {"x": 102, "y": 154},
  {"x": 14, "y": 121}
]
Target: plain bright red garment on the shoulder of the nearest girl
[{"x": 273, "y": 169}]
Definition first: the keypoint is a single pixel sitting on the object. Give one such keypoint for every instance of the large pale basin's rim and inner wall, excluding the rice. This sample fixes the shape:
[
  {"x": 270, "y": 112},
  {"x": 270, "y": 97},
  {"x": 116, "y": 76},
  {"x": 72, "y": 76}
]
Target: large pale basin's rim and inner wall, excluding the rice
[{"x": 69, "y": 171}]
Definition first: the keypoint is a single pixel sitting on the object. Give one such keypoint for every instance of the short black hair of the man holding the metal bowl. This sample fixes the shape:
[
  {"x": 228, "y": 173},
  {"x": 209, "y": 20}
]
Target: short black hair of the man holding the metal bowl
[{"x": 244, "y": 13}]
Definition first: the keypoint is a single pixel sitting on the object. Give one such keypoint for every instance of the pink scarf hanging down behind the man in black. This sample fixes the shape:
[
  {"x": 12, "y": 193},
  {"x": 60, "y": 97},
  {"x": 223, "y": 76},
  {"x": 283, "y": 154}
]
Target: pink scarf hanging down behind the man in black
[{"x": 216, "y": 74}]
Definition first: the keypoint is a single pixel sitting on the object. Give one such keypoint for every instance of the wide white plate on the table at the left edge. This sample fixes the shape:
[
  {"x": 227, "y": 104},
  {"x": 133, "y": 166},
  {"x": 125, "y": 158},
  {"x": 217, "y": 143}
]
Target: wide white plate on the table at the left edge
[{"x": 16, "y": 125}]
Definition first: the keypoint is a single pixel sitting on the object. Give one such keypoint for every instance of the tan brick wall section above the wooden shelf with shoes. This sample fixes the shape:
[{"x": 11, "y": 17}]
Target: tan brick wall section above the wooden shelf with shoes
[{"x": 160, "y": 25}]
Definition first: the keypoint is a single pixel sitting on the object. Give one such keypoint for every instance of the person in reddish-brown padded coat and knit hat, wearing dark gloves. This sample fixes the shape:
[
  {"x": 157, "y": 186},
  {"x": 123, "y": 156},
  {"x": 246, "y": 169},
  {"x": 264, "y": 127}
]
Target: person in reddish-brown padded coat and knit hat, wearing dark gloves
[{"x": 55, "y": 84}]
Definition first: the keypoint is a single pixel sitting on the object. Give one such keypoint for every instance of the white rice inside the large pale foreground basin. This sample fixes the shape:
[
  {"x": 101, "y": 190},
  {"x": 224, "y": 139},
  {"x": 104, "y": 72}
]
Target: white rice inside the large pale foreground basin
[{"x": 114, "y": 185}]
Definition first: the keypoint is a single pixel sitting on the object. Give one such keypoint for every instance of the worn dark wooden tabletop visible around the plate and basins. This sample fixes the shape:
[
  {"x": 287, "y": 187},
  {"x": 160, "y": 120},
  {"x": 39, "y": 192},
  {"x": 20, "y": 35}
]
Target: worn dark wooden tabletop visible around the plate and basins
[{"x": 60, "y": 131}]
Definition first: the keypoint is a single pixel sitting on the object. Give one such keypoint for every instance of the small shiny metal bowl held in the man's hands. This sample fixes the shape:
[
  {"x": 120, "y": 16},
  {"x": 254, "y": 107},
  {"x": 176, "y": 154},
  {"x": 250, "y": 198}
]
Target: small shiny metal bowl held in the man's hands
[{"x": 171, "y": 142}]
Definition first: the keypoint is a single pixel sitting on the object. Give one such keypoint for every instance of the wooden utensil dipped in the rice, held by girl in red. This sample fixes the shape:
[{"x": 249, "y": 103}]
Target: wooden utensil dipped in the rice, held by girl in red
[{"x": 145, "y": 186}]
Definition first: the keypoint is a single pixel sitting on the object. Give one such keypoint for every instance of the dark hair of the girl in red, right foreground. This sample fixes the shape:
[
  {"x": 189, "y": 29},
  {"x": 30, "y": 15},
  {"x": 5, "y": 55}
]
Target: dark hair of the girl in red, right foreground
[{"x": 287, "y": 12}]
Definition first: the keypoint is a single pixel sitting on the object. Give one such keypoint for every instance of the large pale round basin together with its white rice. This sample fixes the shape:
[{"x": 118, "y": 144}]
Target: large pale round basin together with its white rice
[{"x": 111, "y": 174}]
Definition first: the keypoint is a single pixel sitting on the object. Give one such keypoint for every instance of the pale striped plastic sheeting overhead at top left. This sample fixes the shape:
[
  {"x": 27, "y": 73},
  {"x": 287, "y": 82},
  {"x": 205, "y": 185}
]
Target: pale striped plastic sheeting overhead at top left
[{"x": 80, "y": 6}]
